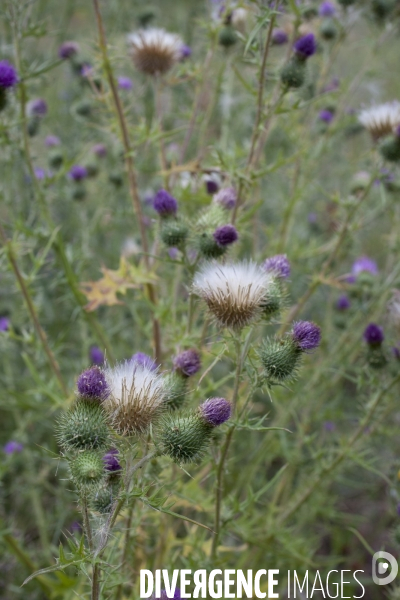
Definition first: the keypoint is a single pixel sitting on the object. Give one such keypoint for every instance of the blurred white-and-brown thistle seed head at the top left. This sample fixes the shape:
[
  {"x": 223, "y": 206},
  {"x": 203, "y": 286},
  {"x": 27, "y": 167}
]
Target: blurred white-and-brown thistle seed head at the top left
[{"x": 154, "y": 51}]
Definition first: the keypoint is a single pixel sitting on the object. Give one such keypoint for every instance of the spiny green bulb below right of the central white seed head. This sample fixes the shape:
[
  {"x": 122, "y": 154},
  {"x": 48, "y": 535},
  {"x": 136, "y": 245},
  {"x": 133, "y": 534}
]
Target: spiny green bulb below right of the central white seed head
[{"x": 280, "y": 359}]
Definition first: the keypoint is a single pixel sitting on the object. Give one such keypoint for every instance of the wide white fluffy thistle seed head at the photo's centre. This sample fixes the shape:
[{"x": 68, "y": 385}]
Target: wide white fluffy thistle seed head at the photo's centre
[{"x": 235, "y": 293}]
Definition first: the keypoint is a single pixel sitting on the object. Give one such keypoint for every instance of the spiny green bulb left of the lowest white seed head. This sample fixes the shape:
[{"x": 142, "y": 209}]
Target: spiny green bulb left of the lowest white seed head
[{"x": 84, "y": 426}]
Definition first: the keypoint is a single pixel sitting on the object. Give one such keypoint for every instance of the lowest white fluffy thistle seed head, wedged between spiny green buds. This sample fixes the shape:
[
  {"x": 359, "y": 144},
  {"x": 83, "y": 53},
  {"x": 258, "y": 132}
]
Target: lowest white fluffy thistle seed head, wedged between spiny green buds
[{"x": 137, "y": 396}]
